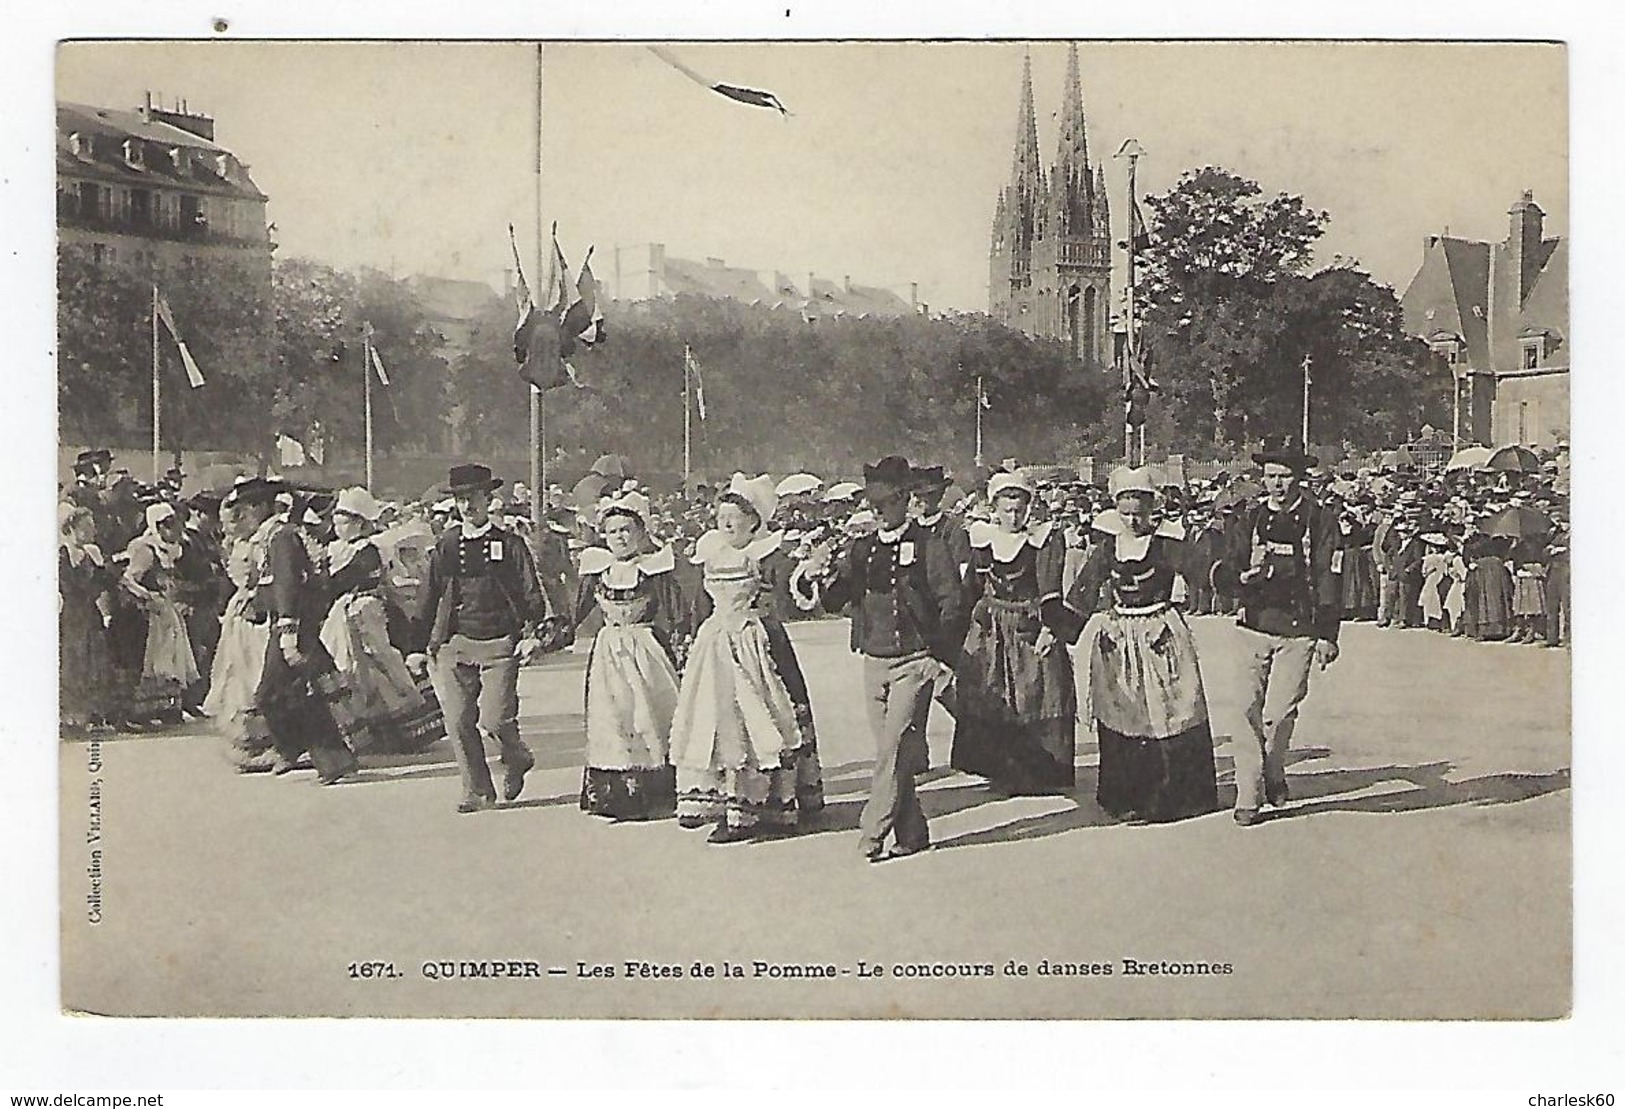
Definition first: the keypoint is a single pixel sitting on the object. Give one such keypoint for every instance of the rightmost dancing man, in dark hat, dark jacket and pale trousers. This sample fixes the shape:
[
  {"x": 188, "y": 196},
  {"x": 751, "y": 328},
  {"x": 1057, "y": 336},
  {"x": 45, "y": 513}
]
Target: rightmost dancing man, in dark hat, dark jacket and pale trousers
[{"x": 1278, "y": 562}]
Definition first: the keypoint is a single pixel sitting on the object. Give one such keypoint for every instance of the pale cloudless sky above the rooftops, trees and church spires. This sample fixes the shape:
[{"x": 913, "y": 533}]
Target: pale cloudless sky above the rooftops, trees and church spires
[{"x": 414, "y": 159}]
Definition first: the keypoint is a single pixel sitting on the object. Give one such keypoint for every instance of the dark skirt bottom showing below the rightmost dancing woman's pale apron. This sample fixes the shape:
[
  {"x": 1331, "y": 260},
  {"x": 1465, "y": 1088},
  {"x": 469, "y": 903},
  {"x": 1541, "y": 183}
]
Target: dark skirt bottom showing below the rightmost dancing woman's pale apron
[{"x": 1158, "y": 780}]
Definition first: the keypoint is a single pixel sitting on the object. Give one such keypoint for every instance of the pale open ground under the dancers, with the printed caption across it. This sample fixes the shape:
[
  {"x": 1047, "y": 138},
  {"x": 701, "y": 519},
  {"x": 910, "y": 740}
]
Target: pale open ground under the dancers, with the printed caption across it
[{"x": 1423, "y": 869}]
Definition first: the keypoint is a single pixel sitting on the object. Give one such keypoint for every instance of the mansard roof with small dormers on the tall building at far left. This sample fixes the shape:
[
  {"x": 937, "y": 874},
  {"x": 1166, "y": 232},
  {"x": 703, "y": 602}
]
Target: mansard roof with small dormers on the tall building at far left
[{"x": 110, "y": 129}]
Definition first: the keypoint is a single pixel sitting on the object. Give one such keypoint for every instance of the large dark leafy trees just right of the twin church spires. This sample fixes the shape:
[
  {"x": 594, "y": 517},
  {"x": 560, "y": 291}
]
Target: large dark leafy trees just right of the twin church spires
[{"x": 1233, "y": 313}]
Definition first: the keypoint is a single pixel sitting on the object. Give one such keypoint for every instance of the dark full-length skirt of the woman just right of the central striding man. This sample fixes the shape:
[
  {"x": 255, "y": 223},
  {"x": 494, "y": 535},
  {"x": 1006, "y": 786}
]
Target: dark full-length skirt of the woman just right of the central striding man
[{"x": 1015, "y": 713}]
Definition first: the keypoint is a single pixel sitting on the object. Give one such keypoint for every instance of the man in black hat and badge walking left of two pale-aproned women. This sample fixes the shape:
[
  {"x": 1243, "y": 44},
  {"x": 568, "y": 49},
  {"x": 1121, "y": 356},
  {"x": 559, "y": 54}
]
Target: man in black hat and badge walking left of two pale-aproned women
[{"x": 479, "y": 620}]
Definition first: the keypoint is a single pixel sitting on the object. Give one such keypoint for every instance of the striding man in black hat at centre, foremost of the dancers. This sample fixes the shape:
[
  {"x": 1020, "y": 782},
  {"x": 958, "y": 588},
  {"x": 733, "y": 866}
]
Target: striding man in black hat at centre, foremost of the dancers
[{"x": 904, "y": 594}]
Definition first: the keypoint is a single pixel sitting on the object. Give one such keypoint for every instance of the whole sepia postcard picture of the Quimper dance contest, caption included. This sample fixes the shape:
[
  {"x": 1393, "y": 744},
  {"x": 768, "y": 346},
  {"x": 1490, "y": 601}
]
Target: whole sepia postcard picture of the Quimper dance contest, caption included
[{"x": 1010, "y": 528}]
